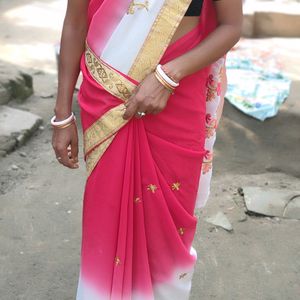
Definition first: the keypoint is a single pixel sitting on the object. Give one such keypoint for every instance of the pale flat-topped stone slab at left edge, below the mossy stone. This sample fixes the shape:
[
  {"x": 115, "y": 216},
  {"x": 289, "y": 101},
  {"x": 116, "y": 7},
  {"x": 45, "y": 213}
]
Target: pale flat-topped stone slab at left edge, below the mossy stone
[{"x": 16, "y": 127}]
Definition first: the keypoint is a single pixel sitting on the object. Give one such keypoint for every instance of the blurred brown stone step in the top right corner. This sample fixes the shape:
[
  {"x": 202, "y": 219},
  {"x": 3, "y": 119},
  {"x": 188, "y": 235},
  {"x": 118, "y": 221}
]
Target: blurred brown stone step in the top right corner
[{"x": 271, "y": 19}]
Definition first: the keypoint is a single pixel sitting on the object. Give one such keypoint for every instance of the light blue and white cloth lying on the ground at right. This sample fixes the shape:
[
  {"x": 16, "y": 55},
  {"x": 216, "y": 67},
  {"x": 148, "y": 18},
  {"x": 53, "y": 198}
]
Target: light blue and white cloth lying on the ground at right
[{"x": 256, "y": 84}]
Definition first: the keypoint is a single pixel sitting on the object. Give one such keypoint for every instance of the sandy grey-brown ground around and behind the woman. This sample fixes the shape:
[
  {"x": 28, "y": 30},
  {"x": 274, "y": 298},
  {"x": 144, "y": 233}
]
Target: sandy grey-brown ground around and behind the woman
[{"x": 41, "y": 202}]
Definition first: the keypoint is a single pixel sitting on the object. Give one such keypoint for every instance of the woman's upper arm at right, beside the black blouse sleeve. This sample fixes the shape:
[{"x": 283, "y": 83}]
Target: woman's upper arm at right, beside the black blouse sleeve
[{"x": 229, "y": 12}]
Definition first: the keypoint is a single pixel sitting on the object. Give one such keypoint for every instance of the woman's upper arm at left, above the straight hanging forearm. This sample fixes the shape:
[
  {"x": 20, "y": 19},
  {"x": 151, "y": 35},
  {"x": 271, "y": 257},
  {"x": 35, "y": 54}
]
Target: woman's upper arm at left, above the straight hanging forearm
[{"x": 76, "y": 14}]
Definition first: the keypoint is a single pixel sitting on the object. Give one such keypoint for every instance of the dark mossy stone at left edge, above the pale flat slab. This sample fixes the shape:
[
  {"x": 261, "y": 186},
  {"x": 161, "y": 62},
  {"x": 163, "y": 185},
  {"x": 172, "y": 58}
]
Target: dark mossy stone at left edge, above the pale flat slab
[{"x": 14, "y": 84}]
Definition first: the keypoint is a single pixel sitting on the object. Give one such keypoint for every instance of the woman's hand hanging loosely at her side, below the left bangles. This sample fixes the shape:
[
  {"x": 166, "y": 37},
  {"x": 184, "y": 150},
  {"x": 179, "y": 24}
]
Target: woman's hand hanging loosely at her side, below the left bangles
[{"x": 65, "y": 145}]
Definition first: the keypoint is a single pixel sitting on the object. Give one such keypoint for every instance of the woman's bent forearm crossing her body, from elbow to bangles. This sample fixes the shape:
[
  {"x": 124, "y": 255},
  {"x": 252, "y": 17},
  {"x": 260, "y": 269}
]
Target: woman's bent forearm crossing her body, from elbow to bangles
[{"x": 217, "y": 44}]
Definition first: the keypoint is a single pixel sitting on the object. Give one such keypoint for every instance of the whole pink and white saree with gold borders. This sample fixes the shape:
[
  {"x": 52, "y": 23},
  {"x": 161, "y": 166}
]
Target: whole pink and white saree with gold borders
[{"x": 144, "y": 175}]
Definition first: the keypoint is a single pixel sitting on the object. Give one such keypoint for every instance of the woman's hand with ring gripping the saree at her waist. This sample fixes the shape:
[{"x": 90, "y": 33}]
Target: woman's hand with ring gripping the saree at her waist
[{"x": 150, "y": 97}]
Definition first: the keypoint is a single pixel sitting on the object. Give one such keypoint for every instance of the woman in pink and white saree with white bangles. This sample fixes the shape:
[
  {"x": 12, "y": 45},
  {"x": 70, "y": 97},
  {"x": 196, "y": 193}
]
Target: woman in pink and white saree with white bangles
[{"x": 149, "y": 105}]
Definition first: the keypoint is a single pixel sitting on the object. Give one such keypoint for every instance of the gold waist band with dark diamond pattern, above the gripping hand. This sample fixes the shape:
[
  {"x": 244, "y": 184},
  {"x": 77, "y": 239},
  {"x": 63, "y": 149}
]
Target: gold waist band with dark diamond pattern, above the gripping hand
[{"x": 107, "y": 77}]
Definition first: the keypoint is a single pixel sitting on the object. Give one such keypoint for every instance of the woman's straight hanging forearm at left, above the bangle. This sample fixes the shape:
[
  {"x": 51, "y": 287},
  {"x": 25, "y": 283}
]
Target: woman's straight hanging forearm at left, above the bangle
[{"x": 72, "y": 47}]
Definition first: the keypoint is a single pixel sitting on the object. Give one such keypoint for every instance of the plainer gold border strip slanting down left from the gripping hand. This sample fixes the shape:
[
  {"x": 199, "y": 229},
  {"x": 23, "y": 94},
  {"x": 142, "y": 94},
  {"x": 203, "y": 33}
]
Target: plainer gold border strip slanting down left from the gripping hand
[{"x": 104, "y": 127}]
